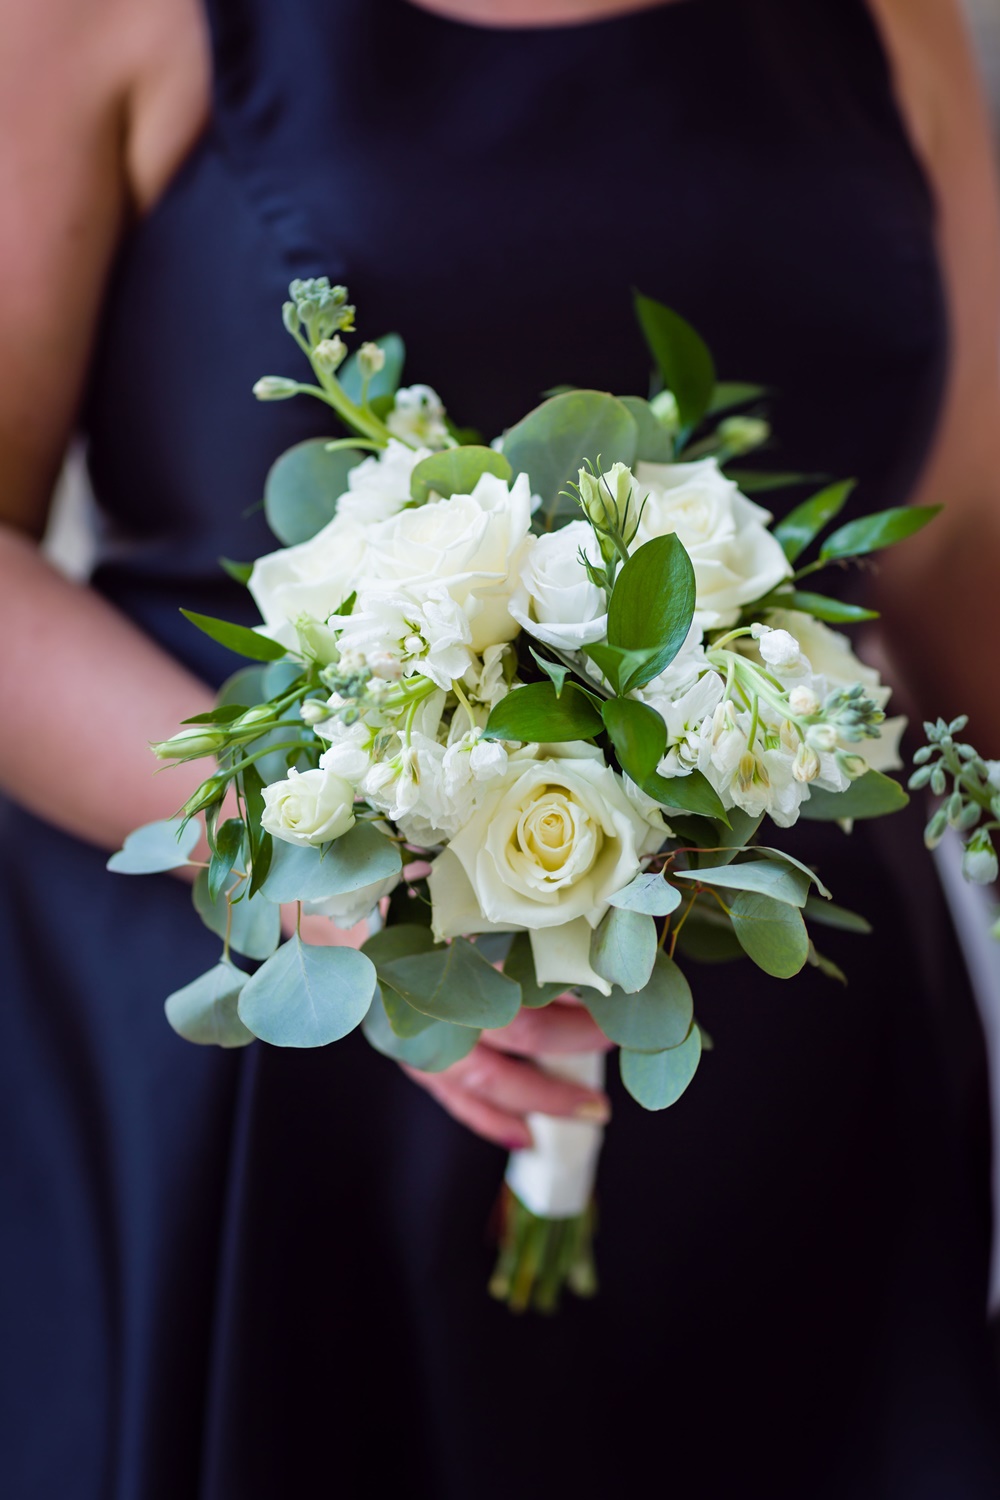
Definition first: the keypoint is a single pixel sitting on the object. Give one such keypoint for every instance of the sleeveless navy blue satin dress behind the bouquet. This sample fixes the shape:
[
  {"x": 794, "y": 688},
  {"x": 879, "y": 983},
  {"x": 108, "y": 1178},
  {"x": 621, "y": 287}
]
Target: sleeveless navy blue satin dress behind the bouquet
[{"x": 248, "y": 1276}]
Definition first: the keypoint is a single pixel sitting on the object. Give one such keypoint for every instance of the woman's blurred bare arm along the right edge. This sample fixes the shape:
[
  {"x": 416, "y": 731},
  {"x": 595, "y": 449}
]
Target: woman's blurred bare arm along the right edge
[{"x": 942, "y": 590}]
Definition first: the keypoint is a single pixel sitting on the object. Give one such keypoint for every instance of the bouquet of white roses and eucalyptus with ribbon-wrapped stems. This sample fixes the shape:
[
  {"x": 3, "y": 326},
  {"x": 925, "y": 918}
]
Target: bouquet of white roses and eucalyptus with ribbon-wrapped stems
[{"x": 539, "y": 712}]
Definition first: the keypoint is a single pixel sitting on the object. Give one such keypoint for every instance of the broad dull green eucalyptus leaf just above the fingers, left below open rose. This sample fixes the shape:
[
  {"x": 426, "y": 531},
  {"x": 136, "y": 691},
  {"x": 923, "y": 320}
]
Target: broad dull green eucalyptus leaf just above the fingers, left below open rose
[{"x": 457, "y": 985}]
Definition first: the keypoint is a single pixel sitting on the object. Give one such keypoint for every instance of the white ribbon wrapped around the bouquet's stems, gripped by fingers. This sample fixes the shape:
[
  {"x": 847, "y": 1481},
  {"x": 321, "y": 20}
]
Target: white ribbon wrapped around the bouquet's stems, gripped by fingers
[{"x": 555, "y": 1178}]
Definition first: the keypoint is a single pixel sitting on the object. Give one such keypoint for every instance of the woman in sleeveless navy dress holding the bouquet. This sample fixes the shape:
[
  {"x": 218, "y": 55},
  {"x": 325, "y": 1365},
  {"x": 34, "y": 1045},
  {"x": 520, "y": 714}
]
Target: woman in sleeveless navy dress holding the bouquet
[{"x": 241, "y": 1277}]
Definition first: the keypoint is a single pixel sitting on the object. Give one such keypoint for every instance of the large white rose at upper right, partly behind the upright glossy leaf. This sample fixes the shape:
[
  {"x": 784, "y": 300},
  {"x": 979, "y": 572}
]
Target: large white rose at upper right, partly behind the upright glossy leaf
[{"x": 726, "y": 536}]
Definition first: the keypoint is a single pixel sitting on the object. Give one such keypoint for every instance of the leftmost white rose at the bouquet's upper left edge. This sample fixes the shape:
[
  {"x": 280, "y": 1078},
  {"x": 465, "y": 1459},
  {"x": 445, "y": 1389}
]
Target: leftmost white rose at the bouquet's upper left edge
[{"x": 313, "y": 578}]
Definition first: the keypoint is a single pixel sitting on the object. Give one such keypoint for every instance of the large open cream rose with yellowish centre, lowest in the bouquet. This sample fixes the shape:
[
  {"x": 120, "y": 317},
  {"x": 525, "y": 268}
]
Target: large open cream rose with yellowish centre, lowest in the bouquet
[{"x": 543, "y": 853}]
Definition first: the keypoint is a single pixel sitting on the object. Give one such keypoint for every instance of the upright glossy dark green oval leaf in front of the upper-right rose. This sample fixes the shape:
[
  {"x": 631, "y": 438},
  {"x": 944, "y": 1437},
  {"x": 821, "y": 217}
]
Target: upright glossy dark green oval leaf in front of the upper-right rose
[{"x": 653, "y": 605}]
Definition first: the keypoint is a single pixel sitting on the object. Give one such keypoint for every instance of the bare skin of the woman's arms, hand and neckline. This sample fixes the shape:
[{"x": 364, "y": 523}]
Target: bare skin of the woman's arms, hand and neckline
[{"x": 100, "y": 104}]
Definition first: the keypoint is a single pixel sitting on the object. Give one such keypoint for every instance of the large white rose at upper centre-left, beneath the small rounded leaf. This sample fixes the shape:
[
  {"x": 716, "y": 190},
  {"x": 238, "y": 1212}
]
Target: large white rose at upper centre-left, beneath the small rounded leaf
[{"x": 472, "y": 544}]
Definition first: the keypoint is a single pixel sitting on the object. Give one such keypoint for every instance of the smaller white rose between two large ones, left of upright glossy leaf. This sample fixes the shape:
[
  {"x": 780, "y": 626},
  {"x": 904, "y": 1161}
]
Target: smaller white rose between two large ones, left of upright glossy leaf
[{"x": 555, "y": 599}]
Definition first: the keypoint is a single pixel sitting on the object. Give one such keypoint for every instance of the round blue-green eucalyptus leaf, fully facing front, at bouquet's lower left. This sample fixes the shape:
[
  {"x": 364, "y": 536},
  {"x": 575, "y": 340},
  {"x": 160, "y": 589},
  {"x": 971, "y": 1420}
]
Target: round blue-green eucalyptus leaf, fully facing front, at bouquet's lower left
[{"x": 308, "y": 997}]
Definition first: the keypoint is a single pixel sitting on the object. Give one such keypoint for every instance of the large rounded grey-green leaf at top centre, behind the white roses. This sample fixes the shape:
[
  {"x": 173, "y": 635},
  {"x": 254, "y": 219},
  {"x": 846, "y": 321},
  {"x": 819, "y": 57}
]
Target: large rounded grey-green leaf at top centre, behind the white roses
[{"x": 552, "y": 442}]
